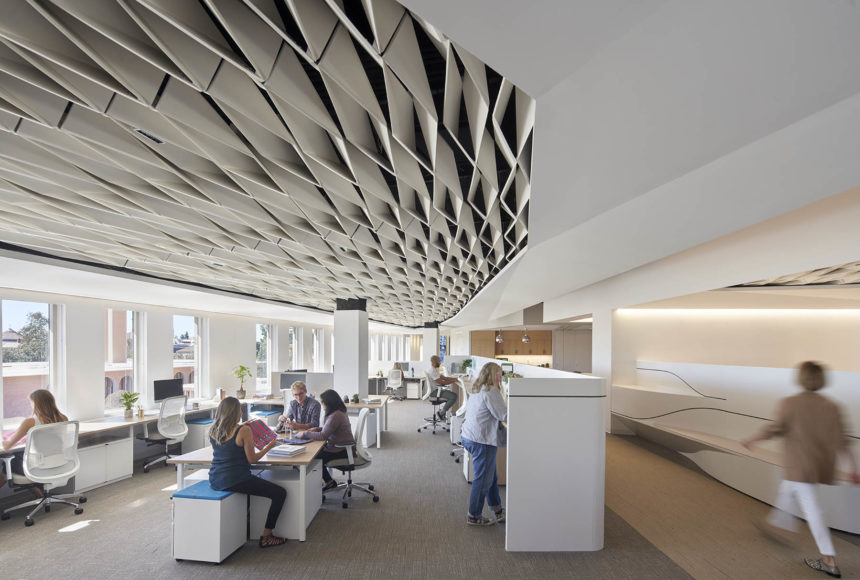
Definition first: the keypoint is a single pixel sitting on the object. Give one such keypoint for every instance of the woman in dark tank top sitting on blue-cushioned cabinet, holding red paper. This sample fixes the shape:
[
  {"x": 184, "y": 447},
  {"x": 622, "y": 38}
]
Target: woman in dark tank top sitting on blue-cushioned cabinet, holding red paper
[{"x": 233, "y": 453}]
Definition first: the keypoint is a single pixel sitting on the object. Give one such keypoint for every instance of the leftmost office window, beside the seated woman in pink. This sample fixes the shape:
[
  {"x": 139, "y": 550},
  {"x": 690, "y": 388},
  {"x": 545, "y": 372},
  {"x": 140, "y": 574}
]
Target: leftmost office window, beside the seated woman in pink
[{"x": 26, "y": 355}]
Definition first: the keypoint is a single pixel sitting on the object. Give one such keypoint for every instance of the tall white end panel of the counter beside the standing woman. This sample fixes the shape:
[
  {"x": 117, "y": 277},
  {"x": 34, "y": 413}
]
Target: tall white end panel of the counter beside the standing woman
[{"x": 556, "y": 464}]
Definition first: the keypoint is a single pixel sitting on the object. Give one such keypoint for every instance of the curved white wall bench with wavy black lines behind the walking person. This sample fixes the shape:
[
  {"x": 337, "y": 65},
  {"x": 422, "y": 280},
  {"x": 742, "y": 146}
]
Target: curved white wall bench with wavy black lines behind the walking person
[{"x": 703, "y": 411}]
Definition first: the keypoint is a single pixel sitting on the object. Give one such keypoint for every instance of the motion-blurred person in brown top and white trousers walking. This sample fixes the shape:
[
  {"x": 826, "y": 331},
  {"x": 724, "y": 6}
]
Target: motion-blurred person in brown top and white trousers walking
[{"x": 814, "y": 432}]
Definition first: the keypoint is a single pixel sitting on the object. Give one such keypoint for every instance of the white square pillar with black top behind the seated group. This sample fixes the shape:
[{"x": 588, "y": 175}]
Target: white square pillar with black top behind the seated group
[{"x": 351, "y": 347}]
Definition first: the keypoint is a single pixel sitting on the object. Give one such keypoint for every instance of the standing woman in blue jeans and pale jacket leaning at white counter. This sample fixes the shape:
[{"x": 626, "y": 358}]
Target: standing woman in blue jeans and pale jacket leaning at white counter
[{"x": 485, "y": 410}]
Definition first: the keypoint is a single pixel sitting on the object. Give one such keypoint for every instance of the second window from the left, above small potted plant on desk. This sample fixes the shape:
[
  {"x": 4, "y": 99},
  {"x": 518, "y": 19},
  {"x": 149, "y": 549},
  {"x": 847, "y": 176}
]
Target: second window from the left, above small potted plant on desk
[{"x": 119, "y": 356}]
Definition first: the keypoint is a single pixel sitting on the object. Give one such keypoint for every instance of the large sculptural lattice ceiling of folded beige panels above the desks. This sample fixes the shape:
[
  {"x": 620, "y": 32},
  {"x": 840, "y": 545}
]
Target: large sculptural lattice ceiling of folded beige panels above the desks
[{"x": 296, "y": 150}]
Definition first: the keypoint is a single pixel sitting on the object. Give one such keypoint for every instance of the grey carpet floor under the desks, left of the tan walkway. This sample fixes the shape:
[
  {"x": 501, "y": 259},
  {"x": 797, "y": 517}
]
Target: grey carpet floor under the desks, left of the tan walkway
[{"x": 417, "y": 530}]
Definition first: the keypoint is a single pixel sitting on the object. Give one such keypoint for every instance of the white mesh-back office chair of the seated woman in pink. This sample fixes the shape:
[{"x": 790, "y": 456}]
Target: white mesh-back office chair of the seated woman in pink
[{"x": 50, "y": 460}]
